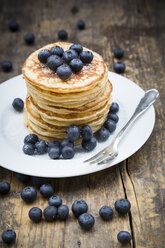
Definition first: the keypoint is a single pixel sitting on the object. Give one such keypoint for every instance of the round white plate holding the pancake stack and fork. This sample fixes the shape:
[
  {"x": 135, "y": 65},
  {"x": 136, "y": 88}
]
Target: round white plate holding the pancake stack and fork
[{"x": 13, "y": 131}]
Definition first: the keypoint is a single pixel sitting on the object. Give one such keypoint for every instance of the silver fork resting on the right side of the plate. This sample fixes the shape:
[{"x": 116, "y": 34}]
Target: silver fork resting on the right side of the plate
[{"x": 111, "y": 151}]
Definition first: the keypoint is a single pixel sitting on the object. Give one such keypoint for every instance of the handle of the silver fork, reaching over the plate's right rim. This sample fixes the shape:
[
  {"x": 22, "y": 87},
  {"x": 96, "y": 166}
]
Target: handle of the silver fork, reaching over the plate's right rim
[{"x": 146, "y": 101}]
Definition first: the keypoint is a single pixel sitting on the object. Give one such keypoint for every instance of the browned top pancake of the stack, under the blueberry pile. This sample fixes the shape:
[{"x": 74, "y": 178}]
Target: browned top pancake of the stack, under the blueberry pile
[{"x": 40, "y": 75}]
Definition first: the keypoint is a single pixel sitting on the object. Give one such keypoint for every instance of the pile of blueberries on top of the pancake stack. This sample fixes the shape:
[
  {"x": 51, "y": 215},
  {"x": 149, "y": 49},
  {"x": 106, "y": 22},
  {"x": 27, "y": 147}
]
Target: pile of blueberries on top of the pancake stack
[{"x": 64, "y": 63}]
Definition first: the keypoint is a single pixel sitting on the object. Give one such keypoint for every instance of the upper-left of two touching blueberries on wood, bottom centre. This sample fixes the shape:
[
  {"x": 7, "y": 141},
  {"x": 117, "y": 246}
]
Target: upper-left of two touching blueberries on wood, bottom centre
[{"x": 79, "y": 207}]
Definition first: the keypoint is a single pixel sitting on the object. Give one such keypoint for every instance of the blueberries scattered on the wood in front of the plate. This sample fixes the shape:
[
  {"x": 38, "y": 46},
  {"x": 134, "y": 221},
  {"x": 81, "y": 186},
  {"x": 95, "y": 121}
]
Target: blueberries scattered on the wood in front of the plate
[{"x": 56, "y": 209}]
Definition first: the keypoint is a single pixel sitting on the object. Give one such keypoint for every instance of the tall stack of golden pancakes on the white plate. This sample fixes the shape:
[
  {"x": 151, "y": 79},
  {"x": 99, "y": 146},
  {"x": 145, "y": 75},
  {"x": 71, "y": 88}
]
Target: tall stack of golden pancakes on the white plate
[{"x": 53, "y": 104}]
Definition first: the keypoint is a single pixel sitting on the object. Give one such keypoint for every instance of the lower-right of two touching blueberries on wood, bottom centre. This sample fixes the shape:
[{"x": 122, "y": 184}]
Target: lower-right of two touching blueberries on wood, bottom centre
[{"x": 86, "y": 221}]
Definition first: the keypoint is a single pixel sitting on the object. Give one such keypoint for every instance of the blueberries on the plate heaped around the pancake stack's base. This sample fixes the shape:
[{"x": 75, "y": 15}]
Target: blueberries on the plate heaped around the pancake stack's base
[{"x": 55, "y": 149}]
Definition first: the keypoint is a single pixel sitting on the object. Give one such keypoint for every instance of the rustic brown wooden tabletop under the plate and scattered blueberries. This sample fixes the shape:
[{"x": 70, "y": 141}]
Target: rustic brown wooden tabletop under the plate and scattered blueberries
[{"x": 139, "y": 28}]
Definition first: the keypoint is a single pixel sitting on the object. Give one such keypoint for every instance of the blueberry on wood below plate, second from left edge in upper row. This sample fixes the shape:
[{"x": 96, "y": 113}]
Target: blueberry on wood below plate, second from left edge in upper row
[{"x": 29, "y": 194}]
